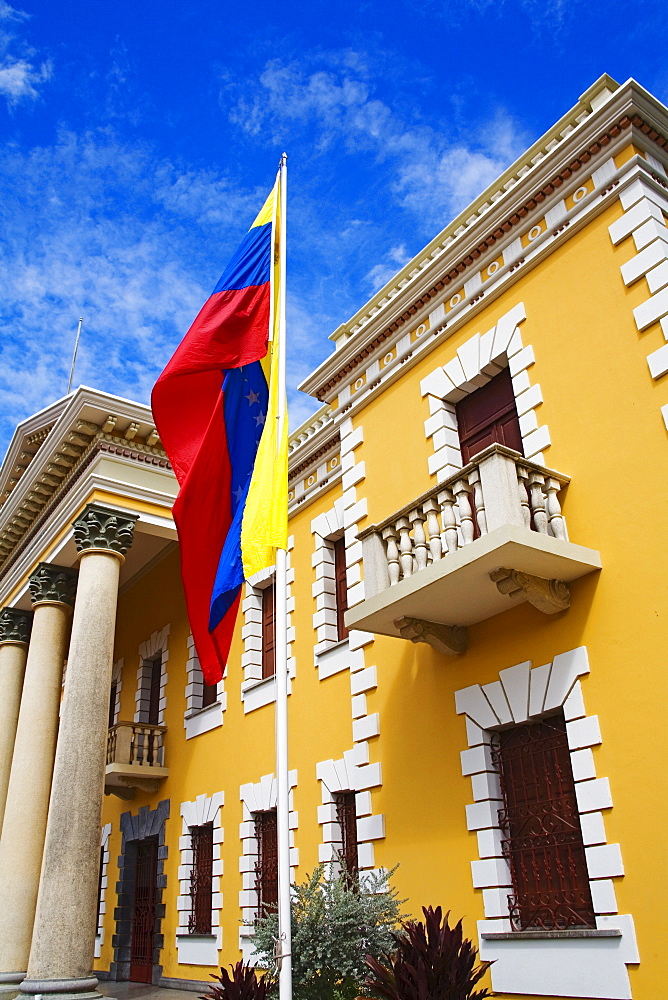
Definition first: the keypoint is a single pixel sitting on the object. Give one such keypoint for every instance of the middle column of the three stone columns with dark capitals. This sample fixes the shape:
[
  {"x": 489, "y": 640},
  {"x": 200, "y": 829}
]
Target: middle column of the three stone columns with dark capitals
[{"x": 52, "y": 590}]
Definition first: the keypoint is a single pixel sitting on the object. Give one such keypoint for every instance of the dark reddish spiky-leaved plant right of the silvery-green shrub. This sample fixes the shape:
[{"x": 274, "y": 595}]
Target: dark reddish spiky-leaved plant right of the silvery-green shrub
[{"x": 432, "y": 961}]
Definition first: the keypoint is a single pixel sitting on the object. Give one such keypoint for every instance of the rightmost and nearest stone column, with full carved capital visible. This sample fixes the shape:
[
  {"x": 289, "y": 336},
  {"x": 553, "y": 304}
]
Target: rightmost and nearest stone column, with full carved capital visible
[{"x": 61, "y": 957}]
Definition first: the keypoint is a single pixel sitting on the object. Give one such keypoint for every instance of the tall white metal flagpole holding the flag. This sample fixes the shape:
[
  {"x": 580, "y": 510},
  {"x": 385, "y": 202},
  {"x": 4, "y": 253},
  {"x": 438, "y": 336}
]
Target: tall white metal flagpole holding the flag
[{"x": 282, "y": 767}]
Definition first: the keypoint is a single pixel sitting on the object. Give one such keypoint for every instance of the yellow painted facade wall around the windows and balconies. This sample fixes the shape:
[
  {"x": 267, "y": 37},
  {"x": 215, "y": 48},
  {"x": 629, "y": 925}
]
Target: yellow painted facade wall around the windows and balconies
[{"x": 602, "y": 409}]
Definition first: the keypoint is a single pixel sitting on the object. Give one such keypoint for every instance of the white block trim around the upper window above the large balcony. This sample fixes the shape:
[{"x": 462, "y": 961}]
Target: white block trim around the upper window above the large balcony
[{"x": 476, "y": 362}]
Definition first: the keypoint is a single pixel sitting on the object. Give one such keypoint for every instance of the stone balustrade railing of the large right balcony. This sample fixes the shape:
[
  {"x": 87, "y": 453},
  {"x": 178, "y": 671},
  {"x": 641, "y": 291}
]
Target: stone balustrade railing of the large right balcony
[{"x": 499, "y": 487}]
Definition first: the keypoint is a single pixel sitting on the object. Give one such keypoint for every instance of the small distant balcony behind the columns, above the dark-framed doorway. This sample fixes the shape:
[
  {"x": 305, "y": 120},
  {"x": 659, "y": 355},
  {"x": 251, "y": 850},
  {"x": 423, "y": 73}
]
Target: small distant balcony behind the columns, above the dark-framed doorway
[{"x": 135, "y": 759}]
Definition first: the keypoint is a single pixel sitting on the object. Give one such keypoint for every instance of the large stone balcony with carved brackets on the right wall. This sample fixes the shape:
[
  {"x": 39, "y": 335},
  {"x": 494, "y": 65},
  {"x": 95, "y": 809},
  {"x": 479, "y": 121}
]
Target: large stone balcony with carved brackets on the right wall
[{"x": 490, "y": 537}]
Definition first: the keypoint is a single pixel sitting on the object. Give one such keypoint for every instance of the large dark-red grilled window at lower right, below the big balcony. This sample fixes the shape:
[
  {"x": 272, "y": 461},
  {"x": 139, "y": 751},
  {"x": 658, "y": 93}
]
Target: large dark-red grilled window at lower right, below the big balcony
[{"x": 541, "y": 826}]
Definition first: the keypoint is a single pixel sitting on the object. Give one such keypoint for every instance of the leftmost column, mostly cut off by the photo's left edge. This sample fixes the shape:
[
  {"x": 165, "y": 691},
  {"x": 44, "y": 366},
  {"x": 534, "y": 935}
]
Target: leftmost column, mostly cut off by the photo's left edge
[{"x": 15, "y": 628}]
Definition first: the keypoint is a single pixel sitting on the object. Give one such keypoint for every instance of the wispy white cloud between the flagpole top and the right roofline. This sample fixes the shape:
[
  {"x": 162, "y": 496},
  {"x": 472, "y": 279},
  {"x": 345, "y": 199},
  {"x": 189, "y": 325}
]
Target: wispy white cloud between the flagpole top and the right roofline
[{"x": 432, "y": 169}]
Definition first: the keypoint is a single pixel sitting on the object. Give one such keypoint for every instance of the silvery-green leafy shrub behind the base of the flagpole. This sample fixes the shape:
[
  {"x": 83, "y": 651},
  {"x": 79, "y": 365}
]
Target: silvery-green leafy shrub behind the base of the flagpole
[{"x": 336, "y": 922}]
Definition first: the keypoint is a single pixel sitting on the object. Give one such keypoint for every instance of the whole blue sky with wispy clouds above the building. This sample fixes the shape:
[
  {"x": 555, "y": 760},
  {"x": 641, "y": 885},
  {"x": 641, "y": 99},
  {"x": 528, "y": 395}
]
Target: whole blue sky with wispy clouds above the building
[{"x": 138, "y": 140}]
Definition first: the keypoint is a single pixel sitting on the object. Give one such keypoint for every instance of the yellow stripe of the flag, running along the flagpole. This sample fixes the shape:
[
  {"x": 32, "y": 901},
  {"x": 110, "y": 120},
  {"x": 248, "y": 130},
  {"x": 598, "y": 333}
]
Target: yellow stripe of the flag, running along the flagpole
[{"x": 264, "y": 527}]
